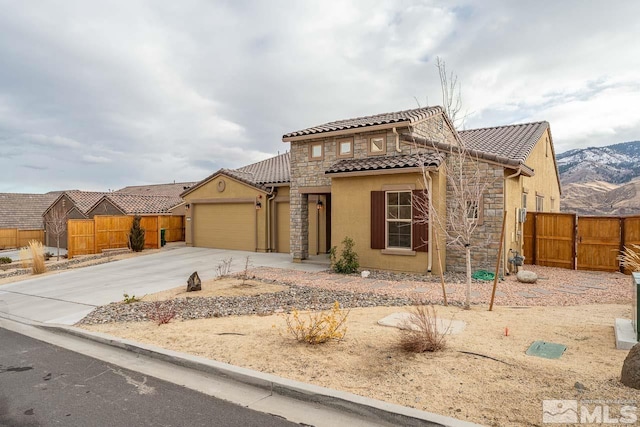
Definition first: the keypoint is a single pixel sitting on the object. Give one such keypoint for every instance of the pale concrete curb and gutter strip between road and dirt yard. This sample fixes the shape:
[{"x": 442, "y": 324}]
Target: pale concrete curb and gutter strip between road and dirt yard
[{"x": 295, "y": 401}]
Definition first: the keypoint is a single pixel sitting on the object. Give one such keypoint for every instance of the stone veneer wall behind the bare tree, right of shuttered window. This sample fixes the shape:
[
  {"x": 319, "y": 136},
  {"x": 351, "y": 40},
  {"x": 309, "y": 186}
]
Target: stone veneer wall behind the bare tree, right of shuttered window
[{"x": 486, "y": 239}]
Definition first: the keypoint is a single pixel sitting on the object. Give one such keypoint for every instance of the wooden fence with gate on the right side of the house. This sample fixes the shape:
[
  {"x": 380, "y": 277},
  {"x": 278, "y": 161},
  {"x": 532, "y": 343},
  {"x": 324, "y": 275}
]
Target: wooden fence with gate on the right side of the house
[{"x": 578, "y": 242}]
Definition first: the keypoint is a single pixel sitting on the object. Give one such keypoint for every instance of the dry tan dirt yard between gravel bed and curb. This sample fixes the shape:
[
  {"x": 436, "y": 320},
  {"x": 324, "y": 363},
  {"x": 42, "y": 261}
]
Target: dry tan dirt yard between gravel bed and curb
[{"x": 368, "y": 362}]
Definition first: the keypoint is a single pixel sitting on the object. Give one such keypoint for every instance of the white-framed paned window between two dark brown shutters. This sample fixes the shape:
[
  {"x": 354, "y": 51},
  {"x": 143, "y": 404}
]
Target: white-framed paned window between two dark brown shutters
[{"x": 399, "y": 219}]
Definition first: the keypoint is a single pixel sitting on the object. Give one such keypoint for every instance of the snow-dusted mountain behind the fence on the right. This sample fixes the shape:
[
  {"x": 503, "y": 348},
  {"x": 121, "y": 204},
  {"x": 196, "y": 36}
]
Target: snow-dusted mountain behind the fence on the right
[{"x": 601, "y": 180}]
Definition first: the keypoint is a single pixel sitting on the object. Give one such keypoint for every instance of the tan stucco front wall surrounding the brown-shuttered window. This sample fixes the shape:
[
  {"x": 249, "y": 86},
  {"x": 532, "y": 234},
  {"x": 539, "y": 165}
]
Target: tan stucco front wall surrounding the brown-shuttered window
[{"x": 351, "y": 217}]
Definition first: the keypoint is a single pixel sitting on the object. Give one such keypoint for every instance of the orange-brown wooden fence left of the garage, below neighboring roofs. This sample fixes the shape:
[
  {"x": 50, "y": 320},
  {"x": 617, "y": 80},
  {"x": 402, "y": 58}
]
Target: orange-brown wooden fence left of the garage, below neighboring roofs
[{"x": 92, "y": 236}]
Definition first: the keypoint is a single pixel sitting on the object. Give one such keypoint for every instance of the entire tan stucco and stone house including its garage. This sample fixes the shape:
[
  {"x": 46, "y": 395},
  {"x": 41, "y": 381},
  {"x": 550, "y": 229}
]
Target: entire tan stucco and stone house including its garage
[{"x": 359, "y": 178}]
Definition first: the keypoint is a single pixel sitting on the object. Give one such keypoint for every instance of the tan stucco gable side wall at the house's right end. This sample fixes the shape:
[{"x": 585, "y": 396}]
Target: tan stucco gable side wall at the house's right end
[{"x": 545, "y": 180}]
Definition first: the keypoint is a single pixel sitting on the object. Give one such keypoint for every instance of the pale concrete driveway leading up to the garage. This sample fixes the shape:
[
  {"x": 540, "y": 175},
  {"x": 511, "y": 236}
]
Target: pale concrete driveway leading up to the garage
[{"x": 67, "y": 297}]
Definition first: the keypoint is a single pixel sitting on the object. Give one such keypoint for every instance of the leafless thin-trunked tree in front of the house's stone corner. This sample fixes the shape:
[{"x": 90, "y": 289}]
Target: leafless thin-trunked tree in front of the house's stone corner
[{"x": 466, "y": 178}]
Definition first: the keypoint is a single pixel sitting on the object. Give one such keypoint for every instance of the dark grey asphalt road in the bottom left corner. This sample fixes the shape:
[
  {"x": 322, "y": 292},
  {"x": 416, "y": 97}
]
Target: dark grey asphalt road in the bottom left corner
[{"x": 45, "y": 385}]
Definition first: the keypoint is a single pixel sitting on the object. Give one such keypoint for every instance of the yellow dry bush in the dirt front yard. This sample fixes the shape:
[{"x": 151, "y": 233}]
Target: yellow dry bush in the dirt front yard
[{"x": 318, "y": 327}]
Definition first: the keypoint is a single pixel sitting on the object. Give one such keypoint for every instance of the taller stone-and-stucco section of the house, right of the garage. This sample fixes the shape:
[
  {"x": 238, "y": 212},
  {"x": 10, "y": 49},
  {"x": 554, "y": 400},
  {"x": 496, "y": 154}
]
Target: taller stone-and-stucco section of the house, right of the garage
[{"x": 371, "y": 166}]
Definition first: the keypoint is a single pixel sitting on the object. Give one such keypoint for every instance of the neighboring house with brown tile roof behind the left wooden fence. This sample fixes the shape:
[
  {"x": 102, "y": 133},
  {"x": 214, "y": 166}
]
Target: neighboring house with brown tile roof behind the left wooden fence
[{"x": 77, "y": 204}]
